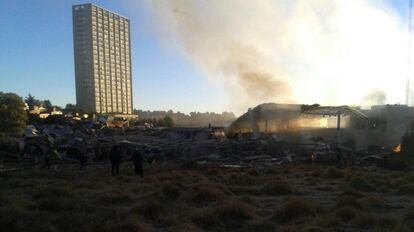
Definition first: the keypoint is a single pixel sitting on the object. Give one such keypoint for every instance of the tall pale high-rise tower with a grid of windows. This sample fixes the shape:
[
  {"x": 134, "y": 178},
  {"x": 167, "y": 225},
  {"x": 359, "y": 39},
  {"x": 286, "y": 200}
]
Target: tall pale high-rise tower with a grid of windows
[{"x": 102, "y": 50}]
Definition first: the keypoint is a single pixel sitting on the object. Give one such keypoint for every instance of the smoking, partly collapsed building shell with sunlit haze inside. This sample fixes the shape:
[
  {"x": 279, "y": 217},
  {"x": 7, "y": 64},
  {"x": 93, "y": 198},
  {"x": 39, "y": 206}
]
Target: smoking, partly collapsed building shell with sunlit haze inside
[{"x": 365, "y": 130}]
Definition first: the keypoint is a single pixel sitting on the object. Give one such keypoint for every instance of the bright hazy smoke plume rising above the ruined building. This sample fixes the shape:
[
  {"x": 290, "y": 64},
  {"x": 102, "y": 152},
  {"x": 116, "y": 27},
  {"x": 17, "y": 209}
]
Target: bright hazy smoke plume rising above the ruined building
[{"x": 299, "y": 51}]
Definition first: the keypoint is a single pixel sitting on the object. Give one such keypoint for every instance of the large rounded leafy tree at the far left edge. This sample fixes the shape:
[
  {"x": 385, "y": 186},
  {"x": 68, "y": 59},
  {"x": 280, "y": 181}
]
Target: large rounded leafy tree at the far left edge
[{"x": 13, "y": 117}]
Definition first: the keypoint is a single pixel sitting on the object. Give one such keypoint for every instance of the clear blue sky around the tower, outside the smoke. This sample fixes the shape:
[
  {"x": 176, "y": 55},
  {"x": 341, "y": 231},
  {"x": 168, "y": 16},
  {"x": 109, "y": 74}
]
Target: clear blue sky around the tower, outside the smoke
[{"x": 36, "y": 56}]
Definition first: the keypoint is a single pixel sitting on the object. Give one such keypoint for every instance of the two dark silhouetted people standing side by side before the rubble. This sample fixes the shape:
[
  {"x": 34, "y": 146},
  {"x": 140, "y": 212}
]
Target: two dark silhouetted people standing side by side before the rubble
[{"x": 115, "y": 156}]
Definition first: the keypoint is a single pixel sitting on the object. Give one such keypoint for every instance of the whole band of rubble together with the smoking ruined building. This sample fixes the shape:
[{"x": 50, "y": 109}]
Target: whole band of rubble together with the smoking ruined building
[{"x": 269, "y": 134}]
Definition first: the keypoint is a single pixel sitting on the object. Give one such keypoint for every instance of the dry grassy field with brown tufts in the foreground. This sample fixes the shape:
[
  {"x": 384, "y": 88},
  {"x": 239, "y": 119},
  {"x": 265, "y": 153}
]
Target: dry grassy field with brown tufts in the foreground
[{"x": 188, "y": 197}]
